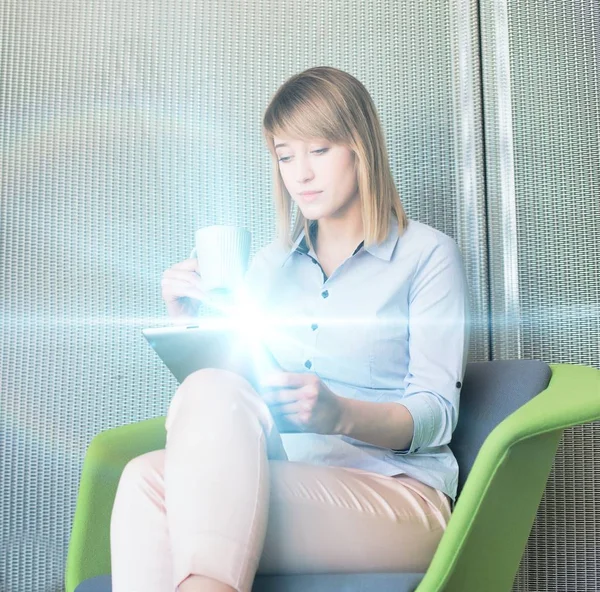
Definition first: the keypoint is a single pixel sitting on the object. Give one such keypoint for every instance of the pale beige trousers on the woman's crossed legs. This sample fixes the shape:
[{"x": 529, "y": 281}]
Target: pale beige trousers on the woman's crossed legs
[{"x": 222, "y": 500}]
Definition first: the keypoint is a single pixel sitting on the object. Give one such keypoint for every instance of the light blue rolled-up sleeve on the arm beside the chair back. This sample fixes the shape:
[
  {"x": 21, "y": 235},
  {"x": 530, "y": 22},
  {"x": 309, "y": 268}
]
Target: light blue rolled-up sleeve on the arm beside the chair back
[{"x": 439, "y": 327}]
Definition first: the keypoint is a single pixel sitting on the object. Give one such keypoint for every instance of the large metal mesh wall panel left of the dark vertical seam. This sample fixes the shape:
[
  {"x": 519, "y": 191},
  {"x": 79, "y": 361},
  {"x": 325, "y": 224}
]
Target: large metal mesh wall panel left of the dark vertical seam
[{"x": 126, "y": 126}]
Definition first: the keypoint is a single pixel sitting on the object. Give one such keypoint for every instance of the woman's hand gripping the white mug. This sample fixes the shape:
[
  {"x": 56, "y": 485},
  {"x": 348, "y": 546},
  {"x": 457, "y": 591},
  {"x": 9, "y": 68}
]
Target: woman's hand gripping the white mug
[{"x": 182, "y": 290}]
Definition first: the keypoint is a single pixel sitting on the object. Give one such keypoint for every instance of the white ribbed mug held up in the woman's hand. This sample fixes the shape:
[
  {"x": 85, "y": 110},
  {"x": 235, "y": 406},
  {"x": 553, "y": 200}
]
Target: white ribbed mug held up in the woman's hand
[{"x": 222, "y": 252}]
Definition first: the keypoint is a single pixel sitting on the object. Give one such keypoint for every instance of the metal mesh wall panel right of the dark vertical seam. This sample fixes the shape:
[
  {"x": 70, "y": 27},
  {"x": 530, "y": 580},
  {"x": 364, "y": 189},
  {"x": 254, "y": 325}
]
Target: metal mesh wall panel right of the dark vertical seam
[{"x": 541, "y": 96}]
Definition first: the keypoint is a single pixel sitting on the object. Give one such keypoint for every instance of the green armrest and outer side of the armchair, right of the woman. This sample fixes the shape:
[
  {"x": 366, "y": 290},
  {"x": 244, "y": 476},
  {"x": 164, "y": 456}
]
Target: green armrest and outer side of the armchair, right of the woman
[{"x": 488, "y": 531}]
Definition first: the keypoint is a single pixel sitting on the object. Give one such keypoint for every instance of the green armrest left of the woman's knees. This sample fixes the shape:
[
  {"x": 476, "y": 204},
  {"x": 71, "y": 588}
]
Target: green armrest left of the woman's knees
[{"x": 105, "y": 459}]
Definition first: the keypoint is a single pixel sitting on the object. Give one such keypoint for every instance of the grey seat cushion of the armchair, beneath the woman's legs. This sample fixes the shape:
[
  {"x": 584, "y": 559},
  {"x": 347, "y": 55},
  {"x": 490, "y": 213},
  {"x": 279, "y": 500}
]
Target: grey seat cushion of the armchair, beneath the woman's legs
[{"x": 369, "y": 582}]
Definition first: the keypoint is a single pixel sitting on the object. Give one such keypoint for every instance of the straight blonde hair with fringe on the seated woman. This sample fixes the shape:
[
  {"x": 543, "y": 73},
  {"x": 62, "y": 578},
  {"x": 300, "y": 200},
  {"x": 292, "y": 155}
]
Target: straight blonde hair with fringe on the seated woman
[{"x": 325, "y": 102}]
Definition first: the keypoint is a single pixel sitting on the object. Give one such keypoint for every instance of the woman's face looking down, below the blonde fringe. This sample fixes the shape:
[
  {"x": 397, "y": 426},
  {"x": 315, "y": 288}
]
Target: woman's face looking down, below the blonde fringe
[{"x": 319, "y": 176}]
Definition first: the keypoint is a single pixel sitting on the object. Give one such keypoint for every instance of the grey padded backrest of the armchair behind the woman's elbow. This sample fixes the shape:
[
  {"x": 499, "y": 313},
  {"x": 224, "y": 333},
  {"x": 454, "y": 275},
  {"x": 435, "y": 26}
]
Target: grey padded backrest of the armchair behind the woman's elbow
[{"x": 491, "y": 391}]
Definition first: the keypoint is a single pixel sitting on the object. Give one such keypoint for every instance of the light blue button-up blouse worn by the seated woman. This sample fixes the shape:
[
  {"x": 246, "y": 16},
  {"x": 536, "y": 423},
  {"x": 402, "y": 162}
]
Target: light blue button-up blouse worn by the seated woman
[{"x": 390, "y": 324}]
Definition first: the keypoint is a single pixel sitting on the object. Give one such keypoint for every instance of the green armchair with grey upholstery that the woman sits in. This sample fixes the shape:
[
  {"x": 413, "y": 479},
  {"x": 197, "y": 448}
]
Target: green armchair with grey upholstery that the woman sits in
[{"x": 512, "y": 416}]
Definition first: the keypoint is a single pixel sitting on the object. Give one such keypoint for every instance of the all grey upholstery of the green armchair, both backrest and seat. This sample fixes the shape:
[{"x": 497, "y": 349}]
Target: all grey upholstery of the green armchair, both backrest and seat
[{"x": 490, "y": 393}]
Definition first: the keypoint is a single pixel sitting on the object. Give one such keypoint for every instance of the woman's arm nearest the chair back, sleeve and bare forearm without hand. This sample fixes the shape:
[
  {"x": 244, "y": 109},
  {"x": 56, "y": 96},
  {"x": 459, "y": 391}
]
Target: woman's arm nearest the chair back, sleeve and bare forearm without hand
[{"x": 438, "y": 317}]
